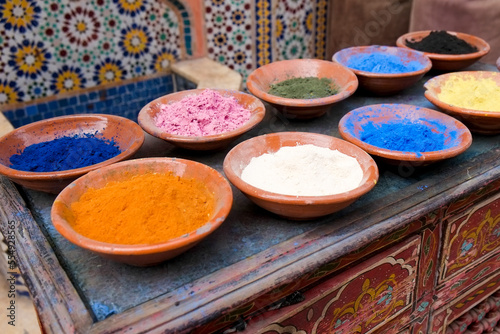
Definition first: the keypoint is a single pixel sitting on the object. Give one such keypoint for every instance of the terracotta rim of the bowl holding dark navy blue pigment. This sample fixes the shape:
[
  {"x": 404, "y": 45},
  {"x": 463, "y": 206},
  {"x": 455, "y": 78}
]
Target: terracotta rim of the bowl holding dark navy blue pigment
[{"x": 70, "y": 173}]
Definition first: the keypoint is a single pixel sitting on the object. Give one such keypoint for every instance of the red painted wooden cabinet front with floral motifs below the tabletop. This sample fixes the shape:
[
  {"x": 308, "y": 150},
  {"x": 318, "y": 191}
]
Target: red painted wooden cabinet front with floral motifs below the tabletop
[{"x": 443, "y": 267}]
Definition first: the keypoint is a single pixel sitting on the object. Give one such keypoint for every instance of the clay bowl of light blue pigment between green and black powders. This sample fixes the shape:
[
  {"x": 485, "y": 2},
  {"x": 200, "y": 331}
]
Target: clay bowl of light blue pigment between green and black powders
[{"x": 384, "y": 70}]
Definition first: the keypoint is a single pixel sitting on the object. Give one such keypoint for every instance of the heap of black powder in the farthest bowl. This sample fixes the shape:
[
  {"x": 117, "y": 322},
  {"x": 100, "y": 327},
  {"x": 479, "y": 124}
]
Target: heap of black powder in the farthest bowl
[{"x": 443, "y": 43}]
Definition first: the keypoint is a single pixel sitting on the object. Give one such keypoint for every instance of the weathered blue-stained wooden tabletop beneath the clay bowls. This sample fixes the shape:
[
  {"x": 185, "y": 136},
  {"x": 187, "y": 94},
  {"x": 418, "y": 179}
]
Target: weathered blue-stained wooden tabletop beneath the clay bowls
[{"x": 252, "y": 253}]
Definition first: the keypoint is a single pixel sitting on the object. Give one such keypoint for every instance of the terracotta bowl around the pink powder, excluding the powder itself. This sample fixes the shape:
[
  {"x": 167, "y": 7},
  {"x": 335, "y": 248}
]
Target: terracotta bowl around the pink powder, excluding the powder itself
[{"x": 148, "y": 113}]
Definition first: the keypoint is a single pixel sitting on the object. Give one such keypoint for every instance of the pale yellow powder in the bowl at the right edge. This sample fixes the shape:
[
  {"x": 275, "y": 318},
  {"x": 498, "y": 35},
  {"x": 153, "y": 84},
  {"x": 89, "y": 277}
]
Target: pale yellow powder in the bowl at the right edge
[{"x": 471, "y": 93}]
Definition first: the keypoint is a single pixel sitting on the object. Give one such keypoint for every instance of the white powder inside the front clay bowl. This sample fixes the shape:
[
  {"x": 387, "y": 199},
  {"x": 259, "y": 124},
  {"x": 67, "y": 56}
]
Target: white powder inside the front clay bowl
[{"x": 305, "y": 170}]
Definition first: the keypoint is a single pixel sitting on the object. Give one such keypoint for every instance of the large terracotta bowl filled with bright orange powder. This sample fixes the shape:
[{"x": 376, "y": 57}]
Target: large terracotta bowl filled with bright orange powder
[{"x": 145, "y": 211}]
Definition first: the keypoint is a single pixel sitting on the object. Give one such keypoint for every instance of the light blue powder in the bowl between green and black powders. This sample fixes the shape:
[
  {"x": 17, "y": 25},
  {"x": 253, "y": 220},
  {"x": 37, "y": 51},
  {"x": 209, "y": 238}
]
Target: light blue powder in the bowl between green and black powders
[{"x": 382, "y": 63}]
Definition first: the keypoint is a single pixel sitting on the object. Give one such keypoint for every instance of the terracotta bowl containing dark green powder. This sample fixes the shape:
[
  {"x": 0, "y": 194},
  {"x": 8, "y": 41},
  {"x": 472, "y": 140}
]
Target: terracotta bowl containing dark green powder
[{"x": 302, "y": 88}]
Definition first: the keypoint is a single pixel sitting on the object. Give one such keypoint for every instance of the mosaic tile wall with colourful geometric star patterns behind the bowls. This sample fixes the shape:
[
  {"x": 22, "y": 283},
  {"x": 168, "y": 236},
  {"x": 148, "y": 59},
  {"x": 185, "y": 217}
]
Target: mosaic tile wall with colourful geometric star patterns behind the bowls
[{"x": 52, "y": 47}]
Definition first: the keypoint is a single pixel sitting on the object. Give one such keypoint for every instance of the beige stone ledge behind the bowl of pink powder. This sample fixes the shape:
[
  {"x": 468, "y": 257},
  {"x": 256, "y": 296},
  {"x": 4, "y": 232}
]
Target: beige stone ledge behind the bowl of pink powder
[{"x": 206, "y": 73}]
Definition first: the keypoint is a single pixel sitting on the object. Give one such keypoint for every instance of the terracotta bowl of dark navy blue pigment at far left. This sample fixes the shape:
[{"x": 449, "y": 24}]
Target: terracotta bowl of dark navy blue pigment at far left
[{"x": 48, "y": 155}]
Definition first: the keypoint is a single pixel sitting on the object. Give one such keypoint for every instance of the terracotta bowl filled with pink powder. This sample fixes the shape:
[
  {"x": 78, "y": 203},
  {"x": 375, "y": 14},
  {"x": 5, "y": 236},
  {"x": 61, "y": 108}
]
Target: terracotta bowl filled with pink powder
[{"x": 201, "y": 119}]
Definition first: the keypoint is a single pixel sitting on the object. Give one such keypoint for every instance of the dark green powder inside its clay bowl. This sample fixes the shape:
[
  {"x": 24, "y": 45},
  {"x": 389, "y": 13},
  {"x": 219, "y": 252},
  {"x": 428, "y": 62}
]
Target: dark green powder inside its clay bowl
[{"x": 304, "y": 88}]
